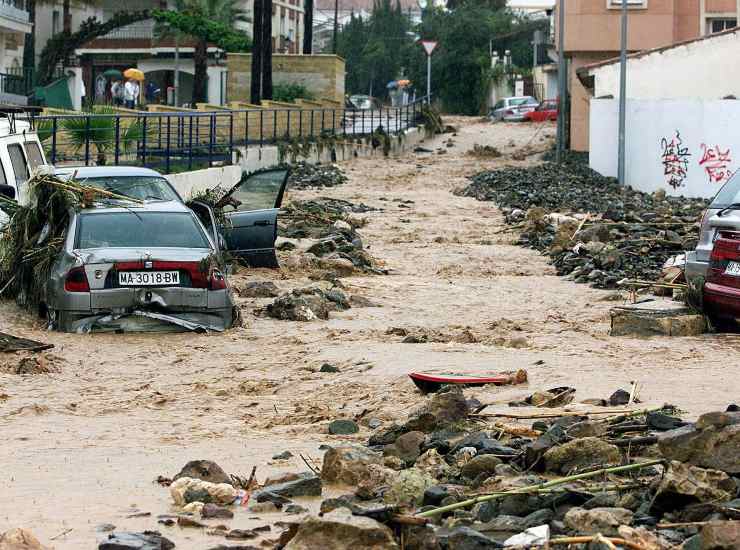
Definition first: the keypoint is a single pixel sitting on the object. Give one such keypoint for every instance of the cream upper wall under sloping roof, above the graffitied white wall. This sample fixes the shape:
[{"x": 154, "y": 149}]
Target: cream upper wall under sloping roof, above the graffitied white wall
[{"x": 700, "y": 69}]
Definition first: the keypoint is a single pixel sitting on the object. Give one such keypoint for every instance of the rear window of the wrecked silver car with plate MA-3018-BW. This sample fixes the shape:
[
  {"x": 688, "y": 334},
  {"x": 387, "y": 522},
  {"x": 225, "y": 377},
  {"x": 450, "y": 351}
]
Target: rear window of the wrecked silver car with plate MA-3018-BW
[{"x": 139, "y": 229}]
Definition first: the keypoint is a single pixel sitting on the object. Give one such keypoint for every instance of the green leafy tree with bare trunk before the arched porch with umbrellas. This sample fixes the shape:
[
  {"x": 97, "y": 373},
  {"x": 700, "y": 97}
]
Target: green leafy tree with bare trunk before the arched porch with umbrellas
[{"x": 206, "y": 21}]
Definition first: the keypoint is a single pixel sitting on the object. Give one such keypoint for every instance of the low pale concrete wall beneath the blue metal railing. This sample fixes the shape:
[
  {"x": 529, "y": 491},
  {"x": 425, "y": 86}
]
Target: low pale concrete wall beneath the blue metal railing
[{"x": 256, "y": 158}]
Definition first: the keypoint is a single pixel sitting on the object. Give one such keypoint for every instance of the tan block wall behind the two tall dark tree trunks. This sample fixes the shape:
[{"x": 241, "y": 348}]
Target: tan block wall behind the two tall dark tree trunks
[{"x": 323, "y": 75}]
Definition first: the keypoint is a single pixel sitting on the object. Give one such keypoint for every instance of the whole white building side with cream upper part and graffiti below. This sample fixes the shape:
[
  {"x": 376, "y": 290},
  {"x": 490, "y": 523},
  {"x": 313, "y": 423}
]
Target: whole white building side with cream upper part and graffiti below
[{"x": 682, "y": 115}]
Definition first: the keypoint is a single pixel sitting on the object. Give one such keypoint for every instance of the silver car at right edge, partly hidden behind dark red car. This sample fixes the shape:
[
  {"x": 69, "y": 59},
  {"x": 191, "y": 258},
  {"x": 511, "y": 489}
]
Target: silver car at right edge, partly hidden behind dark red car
[{"x": 723, "y": 214}]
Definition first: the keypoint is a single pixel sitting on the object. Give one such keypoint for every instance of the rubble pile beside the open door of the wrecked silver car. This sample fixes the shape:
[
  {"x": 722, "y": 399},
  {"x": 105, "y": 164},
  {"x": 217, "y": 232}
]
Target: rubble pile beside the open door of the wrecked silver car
[{"x": 333, "y": 224}]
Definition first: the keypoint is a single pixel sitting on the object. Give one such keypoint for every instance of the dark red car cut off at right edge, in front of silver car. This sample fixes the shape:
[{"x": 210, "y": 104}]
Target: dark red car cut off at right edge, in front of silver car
[{"x": 722, "y": 285}]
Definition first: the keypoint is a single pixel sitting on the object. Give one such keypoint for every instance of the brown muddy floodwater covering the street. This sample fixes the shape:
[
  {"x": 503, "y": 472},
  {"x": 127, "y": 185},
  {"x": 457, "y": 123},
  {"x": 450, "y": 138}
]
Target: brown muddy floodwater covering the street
[{"x": 83, "y": 444}]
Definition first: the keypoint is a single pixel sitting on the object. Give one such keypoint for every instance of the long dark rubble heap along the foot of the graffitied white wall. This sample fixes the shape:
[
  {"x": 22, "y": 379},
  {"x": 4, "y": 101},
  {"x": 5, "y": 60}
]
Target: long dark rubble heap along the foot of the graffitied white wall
[{"x": 595, "y": 231}]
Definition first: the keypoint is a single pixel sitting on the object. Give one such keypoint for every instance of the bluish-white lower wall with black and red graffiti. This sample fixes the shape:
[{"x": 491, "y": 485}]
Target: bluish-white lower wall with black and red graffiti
[{"x": 687, "y": 147}]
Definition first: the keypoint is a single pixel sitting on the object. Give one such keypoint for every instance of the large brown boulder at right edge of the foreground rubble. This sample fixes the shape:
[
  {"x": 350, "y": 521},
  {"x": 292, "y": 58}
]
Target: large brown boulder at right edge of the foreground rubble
[{"x": 713, "y": 442}]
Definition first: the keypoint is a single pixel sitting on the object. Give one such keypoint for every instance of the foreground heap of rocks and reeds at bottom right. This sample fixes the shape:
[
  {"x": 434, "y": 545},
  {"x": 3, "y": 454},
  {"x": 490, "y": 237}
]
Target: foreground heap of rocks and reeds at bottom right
[{"x": 451, "y": 476}]
